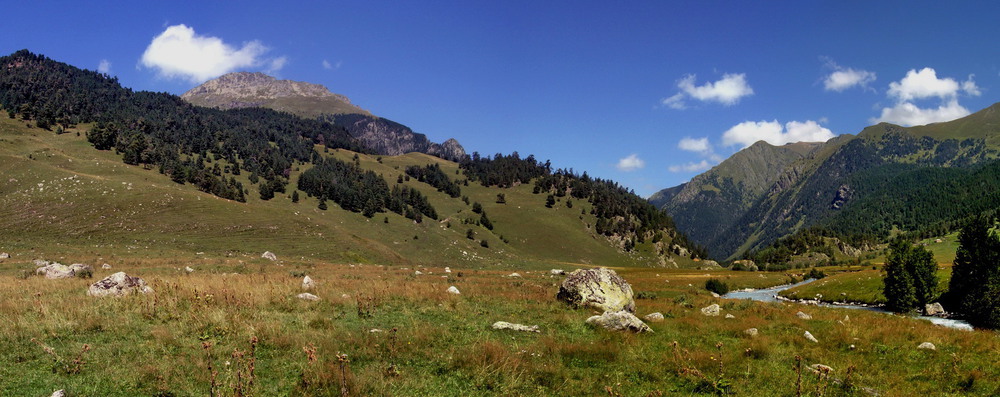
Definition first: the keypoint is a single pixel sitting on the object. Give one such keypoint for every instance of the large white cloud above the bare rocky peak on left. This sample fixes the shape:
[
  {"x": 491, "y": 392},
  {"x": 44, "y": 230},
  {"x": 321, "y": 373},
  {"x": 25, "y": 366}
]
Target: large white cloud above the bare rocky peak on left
[{"x": 178, "y": 52}]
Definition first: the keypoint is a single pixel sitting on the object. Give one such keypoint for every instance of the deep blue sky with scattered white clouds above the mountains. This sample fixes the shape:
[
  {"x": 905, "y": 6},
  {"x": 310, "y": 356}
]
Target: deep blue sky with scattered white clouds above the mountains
[{"x": 646, "y": 93}]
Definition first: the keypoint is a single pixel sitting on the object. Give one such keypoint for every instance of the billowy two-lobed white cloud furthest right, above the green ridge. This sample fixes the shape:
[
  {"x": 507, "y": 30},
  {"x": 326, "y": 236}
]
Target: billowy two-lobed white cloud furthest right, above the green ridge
[{"x": 922, "y": 85}]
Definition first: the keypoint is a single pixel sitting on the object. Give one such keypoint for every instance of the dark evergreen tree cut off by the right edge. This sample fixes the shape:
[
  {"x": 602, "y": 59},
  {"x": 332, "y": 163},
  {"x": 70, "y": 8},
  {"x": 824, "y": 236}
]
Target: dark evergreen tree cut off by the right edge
[{"x": 974, "y": 289}]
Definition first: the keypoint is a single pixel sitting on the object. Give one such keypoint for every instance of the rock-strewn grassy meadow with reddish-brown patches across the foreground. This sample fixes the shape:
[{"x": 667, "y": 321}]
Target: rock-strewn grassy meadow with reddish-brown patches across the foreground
[{"x": 403, "y": 334}]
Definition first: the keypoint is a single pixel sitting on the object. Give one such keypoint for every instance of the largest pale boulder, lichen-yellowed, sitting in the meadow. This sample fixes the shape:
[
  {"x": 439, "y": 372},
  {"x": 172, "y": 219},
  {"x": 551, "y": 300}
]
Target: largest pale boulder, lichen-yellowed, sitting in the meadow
[{"x": 601, "y": 289}]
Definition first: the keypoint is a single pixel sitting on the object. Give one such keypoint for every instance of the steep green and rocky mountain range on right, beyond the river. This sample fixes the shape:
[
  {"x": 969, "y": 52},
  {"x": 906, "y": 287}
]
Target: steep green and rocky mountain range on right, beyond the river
[{"x": 864, "y": 186}]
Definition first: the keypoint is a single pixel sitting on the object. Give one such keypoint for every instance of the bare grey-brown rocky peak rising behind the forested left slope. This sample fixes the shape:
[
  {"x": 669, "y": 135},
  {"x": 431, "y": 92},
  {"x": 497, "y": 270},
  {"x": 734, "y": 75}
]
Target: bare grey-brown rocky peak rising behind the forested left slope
[{"x": 245, "y": 89}]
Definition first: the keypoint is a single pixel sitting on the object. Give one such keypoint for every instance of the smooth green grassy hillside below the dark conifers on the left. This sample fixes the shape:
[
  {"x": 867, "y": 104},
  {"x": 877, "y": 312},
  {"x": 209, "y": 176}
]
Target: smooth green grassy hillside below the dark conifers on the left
[{"x": 62, "y": 197}]
